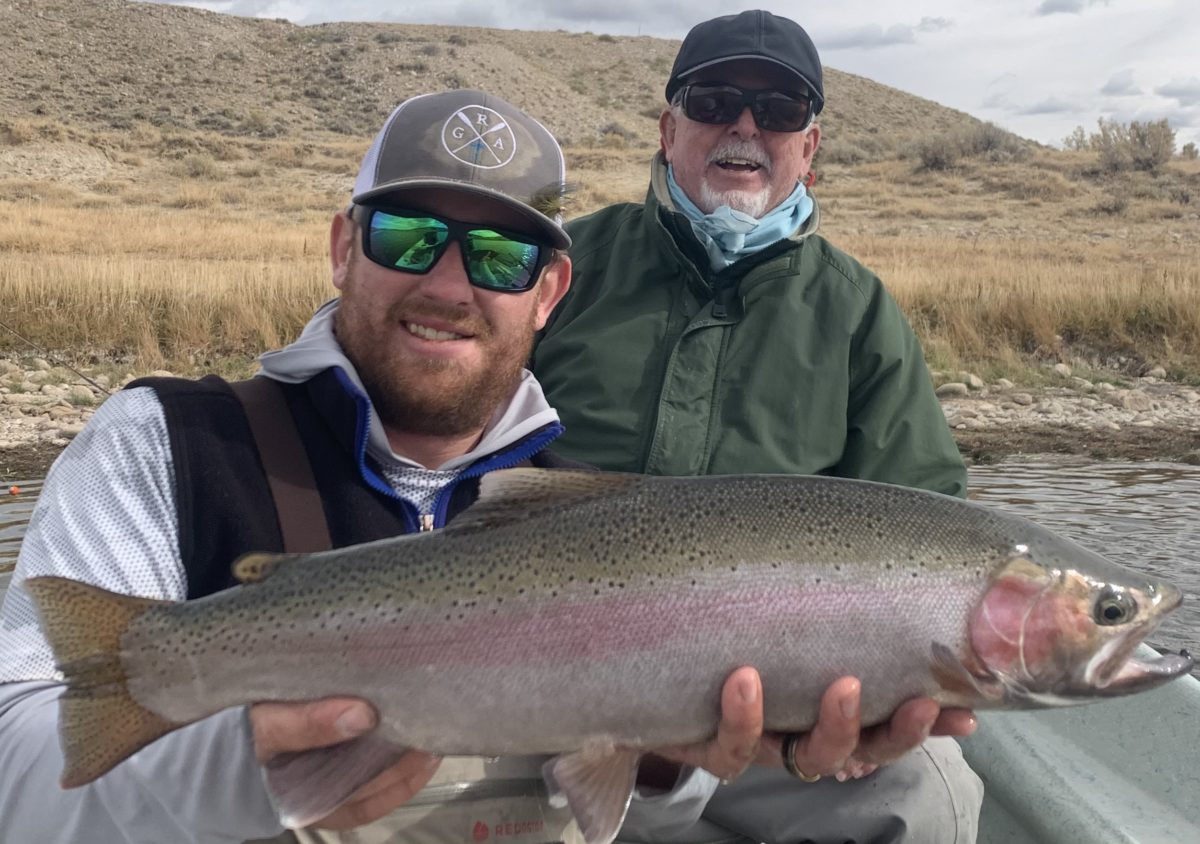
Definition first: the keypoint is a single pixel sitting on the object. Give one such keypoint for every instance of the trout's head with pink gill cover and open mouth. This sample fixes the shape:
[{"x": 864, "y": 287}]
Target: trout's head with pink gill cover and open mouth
[{"x": 1059, "y": 626}]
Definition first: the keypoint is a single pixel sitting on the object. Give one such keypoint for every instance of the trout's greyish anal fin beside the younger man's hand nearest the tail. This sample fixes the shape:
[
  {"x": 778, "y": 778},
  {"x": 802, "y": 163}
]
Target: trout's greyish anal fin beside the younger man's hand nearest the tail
[{"x": 310, "y": 785}]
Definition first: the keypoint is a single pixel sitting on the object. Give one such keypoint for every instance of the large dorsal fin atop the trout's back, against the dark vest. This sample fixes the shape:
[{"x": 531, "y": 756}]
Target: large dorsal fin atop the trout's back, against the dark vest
[{"x": 513, "y": 495}]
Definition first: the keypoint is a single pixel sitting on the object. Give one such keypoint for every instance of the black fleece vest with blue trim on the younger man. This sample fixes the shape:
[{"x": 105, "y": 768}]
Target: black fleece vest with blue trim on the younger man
[{"x": 223, "y": 495}]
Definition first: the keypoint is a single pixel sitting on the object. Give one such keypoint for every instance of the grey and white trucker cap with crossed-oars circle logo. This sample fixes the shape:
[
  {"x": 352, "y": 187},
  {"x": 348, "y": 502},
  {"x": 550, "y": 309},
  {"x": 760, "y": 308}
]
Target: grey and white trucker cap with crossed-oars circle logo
[{"x": 471, "y": 142}]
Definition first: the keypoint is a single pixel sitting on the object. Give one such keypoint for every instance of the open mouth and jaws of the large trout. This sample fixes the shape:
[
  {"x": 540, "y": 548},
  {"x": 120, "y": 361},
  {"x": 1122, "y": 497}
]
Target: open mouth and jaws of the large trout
[{"x": 1115, "y": 671}]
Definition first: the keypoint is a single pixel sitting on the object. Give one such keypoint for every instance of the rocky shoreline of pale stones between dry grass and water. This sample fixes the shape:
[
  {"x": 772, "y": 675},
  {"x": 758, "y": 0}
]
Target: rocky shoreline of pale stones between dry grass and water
[{"x": 44, "y": 408}]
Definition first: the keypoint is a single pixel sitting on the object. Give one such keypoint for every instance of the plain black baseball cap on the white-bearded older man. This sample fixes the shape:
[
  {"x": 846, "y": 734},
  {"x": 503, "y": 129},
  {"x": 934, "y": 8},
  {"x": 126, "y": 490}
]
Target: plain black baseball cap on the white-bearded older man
[{"x": 751, "y": 35}]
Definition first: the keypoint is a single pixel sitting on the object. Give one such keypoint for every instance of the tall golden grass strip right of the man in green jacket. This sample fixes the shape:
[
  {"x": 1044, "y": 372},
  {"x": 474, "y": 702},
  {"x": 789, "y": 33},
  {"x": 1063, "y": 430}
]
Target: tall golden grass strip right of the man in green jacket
[{"x": 1001, "y": 304}]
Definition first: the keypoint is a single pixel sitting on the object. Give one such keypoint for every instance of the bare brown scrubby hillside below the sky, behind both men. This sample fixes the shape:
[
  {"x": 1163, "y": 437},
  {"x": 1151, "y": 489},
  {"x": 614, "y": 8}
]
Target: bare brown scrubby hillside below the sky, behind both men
[{"x": 111, "y": 65}]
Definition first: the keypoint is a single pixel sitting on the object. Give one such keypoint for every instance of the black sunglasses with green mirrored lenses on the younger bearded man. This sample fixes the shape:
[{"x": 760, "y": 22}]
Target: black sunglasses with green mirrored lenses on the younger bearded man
[{"x": 415, "y": 242}]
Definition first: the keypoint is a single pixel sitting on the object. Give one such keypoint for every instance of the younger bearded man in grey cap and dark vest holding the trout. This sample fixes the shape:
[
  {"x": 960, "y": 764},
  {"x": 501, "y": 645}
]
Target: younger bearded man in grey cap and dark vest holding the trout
[{"x": 403, "y": 392}]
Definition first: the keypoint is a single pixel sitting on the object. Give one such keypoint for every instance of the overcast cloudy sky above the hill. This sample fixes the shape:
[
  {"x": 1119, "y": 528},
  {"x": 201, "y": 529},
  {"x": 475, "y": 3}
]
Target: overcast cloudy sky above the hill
[{"x": 1039, "y": 68}]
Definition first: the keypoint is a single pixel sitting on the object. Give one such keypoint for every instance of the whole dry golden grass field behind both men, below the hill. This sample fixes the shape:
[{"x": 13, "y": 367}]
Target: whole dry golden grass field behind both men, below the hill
[{"x": 207, "y": 250}]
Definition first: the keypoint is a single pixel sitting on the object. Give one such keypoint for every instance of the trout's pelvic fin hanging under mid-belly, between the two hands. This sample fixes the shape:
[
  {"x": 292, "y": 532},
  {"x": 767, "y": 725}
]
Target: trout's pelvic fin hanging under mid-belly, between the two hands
[{"x": 596, "y": 787}]
